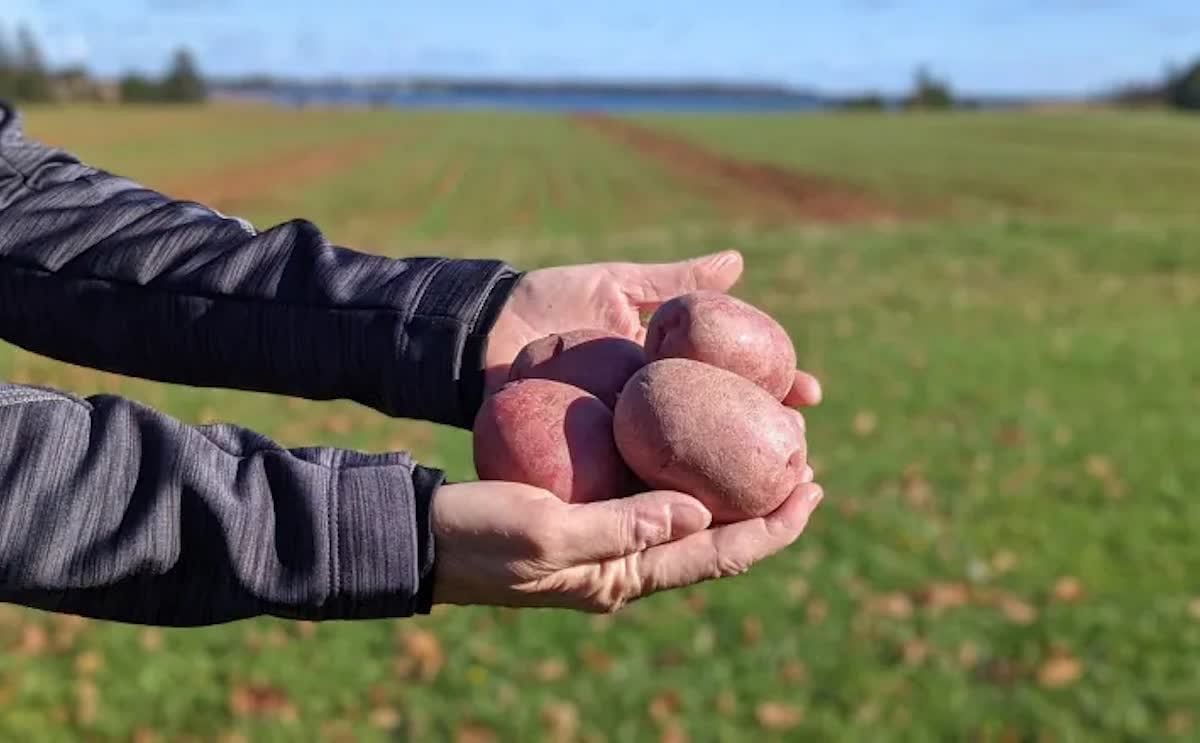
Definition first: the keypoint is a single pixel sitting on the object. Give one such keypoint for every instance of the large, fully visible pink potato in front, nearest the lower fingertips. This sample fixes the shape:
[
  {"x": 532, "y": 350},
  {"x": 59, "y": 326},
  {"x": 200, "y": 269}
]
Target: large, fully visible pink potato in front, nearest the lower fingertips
[{"x": 693, "y": 428}]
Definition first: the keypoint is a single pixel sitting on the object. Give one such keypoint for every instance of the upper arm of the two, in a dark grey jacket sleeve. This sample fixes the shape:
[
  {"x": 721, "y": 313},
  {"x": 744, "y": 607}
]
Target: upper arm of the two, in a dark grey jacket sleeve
[{"x": 100, "y": 272}]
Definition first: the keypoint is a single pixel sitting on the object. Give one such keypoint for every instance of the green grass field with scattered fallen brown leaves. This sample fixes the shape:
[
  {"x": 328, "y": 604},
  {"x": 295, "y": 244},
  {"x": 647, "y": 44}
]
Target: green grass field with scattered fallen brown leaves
[{"x": 1010, "y": 445}]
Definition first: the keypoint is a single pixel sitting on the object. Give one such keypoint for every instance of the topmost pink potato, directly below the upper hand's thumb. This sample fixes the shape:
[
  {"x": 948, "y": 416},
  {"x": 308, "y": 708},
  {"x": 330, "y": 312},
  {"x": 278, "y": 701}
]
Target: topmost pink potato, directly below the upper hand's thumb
[{"x": 728, "y": 333}]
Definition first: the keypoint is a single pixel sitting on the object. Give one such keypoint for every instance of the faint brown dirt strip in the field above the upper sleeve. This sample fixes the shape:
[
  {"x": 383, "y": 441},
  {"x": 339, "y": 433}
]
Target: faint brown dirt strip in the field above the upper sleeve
[{"x": 255, "y": 179}]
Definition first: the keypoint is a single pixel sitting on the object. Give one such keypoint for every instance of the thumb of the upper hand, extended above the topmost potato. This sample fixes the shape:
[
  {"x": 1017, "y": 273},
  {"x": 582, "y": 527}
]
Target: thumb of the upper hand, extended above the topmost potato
[{"x": 653, "y": 284}]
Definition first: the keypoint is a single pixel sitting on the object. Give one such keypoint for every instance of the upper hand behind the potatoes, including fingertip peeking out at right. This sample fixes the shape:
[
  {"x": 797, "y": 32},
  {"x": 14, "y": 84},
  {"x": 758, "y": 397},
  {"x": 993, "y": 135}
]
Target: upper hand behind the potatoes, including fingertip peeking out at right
[{"x": 611, "y": 297}]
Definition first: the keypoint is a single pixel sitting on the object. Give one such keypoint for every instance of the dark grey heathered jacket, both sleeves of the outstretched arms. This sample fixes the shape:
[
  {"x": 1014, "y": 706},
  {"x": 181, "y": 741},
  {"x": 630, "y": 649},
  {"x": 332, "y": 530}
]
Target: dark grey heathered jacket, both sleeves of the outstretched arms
[{"x": 113, "y": 511}]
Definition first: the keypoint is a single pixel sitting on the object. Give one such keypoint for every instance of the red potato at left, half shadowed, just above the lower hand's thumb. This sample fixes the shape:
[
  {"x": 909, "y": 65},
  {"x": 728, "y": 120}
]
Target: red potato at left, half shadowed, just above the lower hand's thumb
[{"x": 553, "y": 436}]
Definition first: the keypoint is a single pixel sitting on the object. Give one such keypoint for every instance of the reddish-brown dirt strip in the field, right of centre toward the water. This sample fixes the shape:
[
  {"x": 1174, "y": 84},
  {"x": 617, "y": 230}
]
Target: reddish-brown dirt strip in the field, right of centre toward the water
[{"x": 748, "y": 190}]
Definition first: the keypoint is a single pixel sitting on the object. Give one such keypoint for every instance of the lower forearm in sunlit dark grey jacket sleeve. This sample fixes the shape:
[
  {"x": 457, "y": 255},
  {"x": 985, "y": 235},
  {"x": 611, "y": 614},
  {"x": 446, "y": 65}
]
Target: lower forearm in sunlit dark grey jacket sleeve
[{"x": 112, "y": 511}]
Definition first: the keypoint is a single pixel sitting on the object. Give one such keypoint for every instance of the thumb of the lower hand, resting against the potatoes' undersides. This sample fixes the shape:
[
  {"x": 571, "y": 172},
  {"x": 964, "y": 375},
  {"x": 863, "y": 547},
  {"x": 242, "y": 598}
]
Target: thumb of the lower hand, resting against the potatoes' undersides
[{"x": 595, "y": 532}]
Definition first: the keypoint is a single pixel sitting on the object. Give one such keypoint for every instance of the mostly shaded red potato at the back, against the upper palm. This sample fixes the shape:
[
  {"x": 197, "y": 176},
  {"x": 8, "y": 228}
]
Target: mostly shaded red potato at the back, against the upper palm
[{"x": 593, "y": 361}]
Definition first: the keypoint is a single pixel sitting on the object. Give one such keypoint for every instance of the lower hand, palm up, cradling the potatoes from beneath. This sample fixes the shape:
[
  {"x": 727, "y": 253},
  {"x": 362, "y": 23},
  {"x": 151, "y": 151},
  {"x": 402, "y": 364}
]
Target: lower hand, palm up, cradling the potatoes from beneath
[{"x": 503, "y": 544}]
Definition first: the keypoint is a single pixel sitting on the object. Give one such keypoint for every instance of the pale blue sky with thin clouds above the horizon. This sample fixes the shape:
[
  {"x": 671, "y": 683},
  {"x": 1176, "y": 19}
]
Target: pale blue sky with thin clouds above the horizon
[{"x": 982, "y": 46}]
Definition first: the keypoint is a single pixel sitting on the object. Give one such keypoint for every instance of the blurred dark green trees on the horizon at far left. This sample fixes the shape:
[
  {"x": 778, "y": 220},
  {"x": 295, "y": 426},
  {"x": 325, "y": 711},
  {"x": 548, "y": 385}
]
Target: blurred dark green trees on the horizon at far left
[{"x": 27, "y": 79}]
